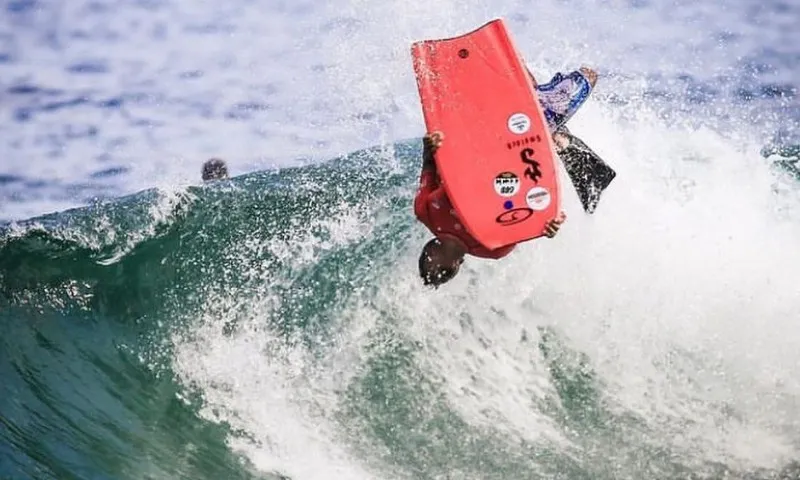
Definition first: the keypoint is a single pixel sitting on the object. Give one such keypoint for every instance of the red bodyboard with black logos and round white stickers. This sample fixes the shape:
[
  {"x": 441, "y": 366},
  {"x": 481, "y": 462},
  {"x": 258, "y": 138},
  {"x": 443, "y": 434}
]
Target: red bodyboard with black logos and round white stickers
[{"x": 497, "y": 161}]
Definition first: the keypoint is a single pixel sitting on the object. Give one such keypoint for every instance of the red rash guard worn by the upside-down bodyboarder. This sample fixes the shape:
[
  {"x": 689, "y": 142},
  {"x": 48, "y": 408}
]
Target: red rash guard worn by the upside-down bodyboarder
[{"x": 433, "y": 208}]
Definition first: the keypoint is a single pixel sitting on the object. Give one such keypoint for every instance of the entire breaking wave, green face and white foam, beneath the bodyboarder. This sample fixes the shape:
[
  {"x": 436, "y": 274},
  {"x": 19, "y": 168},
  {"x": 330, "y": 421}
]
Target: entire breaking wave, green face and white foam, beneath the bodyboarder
[{"x": 272, "y": 326}]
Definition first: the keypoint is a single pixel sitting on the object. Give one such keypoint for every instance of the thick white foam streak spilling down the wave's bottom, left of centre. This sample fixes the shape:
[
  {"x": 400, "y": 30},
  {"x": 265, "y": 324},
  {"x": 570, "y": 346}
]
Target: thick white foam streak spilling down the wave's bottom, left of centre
[{"x": 260, "y": 388}]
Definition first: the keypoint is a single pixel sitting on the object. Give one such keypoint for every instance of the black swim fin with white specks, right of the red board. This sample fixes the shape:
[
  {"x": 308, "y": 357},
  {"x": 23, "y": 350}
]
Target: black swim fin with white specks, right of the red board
[{"x": 589, "y": 173}]
